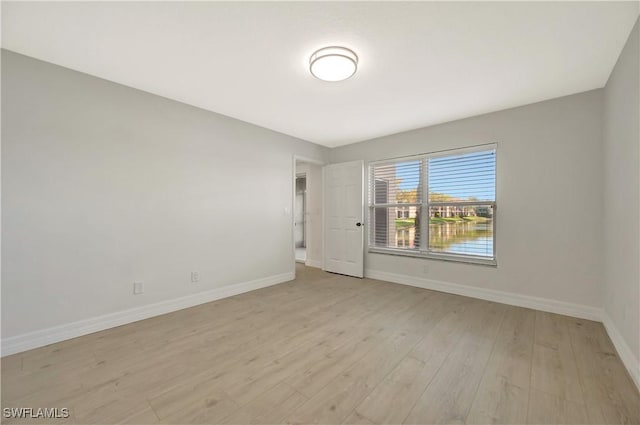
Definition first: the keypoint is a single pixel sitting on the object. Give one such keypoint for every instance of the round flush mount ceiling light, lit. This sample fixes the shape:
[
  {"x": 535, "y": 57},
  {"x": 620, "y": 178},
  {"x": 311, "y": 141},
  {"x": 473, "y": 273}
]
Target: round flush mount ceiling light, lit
[{"x": 333, "y": 63}]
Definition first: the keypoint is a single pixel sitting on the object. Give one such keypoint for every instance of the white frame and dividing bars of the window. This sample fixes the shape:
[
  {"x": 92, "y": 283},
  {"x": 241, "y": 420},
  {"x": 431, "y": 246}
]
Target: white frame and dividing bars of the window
[{"x": 425, "y": 205}]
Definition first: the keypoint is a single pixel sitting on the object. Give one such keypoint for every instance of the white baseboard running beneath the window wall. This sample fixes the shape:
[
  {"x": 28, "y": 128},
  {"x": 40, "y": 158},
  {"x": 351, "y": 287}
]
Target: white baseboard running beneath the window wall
[{"x": 536, "y": 303}]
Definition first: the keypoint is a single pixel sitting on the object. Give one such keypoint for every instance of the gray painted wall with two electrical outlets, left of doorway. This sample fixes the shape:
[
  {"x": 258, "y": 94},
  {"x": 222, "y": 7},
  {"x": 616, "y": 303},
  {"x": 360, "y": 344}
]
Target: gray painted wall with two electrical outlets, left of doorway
[{"x": 104, "y": 184}]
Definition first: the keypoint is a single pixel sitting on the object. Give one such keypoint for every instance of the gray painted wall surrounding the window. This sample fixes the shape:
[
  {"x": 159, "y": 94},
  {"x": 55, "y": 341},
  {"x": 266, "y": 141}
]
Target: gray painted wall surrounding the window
[{"x": 549, "y": 196}]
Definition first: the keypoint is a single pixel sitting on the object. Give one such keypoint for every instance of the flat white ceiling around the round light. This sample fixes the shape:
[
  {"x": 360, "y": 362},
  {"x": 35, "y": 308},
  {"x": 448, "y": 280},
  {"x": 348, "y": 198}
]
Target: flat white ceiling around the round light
[{"x": 420, "y": 63}]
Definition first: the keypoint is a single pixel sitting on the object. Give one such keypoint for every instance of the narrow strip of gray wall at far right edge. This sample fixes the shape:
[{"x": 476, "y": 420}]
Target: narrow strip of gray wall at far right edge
[{"x": 621, "y": 212}]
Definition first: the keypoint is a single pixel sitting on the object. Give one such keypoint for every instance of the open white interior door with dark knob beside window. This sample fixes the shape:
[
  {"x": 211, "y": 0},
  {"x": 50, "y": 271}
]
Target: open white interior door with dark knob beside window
[{"x": 343, "y": 218}]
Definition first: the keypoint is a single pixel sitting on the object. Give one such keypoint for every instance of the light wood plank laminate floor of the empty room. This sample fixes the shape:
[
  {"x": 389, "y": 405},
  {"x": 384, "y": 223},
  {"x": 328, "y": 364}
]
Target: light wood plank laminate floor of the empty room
[{"x": 334, "y": 350}]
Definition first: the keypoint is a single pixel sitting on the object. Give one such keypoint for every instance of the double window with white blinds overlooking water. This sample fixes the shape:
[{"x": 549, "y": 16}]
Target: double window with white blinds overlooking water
[{"x": 438, "y": 205}]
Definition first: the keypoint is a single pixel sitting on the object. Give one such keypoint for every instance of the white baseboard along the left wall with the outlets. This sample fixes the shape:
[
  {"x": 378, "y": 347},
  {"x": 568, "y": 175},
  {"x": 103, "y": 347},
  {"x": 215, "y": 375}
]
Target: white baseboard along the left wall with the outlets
[{"x": 19, "y": 343}]
